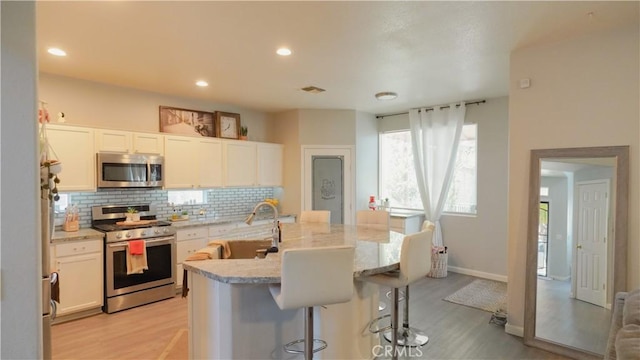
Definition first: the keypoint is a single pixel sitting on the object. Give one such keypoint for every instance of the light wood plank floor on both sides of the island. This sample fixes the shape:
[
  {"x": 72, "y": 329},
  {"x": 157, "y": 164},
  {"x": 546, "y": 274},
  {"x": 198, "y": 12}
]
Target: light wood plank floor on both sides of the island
[{"x": 455, "y": 331}]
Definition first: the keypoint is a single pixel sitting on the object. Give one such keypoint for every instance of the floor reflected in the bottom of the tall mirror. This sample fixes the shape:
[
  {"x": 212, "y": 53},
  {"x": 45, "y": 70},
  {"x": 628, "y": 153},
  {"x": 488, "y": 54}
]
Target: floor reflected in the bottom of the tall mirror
[{"x": 569, "y": 321}]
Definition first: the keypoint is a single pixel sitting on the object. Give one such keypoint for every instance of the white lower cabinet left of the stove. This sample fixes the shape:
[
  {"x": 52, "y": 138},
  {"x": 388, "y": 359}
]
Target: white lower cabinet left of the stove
[{"x": 79, "y": 267}]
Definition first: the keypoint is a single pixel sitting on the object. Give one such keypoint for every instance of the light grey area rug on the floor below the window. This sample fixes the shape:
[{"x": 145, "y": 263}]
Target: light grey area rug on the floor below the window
[{"x": 482, "y": 294}]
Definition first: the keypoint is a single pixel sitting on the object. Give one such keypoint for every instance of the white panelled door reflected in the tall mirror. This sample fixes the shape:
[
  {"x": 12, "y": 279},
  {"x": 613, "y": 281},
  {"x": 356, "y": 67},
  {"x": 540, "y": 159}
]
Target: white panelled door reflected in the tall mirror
[{"x": 591, "y": 248}]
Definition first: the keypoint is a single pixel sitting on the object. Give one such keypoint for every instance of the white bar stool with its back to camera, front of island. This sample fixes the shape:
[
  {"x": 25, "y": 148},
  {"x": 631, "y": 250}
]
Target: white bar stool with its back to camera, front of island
[{"x": 313, "y": 277}]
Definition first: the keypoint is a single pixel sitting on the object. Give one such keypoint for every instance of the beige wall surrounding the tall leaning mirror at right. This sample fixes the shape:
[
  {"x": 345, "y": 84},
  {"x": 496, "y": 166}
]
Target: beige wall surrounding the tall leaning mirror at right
[{"x": 584, "y": 92}]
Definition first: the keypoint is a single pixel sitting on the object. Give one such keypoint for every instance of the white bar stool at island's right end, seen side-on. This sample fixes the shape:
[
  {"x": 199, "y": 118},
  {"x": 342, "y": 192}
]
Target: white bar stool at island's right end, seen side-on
[{"x": 415, "y": 263}]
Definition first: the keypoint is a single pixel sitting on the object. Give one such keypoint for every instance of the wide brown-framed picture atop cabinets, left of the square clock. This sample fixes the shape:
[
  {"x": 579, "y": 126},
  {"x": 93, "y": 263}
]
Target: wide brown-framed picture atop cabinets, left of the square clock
[{"x": 180, "y": 121}]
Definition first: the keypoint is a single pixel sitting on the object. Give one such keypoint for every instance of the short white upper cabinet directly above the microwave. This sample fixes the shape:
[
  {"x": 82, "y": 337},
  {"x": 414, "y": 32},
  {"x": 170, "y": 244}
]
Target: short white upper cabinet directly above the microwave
[{"x": 128, "y": 142}]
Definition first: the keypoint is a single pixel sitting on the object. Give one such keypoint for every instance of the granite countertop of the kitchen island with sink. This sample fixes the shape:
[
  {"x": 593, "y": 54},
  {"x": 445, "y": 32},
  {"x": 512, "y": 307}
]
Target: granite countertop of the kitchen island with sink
[{"x": 376, "y": 251}]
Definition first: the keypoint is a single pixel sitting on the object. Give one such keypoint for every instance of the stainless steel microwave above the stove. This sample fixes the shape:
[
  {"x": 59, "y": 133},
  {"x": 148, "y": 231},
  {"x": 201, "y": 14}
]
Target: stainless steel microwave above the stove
[{"x": 130, "y": 170}]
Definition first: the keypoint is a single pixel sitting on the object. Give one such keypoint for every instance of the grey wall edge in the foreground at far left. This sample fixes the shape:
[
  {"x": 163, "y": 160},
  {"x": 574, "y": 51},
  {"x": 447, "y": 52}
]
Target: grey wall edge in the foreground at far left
[{"x": 20, "y": 304}]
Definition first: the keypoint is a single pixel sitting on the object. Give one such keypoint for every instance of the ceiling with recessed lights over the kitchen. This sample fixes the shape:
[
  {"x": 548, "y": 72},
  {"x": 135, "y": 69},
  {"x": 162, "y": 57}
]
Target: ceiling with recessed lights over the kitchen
[{"x": 430, "y": 53}]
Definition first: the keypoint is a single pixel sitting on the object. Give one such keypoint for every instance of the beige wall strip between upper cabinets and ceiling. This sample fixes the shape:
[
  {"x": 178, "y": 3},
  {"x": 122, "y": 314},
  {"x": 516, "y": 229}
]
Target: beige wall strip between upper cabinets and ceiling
[{"x": 113, "y": 107}]
